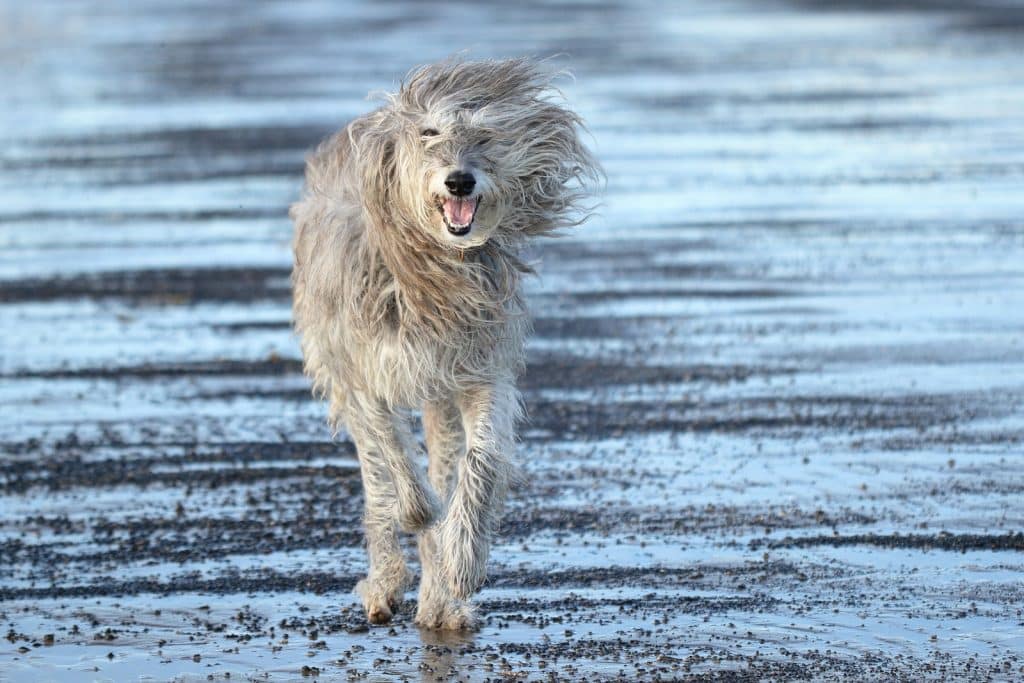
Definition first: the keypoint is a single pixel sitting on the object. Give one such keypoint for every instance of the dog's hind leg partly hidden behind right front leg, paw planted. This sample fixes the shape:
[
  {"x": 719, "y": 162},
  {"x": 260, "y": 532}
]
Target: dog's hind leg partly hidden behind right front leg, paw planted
[{"x": 446, "y": 444}]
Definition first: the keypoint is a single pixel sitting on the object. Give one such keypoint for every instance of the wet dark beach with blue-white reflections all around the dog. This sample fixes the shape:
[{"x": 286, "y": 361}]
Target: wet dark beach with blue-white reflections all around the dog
[{"x": 776, "y": 391}]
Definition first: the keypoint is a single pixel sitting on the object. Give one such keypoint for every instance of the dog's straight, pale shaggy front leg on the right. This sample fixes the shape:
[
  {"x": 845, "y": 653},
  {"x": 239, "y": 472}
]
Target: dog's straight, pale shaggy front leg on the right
[{"x": 476, "y": 505}]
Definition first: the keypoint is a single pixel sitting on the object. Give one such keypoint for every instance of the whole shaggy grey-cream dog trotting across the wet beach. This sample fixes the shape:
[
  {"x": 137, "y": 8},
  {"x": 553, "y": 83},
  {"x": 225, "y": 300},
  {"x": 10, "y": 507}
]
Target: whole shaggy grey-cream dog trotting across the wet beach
[{"x": 407, "y": 295}]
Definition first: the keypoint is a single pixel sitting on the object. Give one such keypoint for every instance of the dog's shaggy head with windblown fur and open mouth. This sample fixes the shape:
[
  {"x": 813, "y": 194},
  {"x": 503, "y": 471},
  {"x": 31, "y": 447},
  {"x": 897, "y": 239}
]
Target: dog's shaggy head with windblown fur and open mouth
[{"x": 467, "y": 151}]
